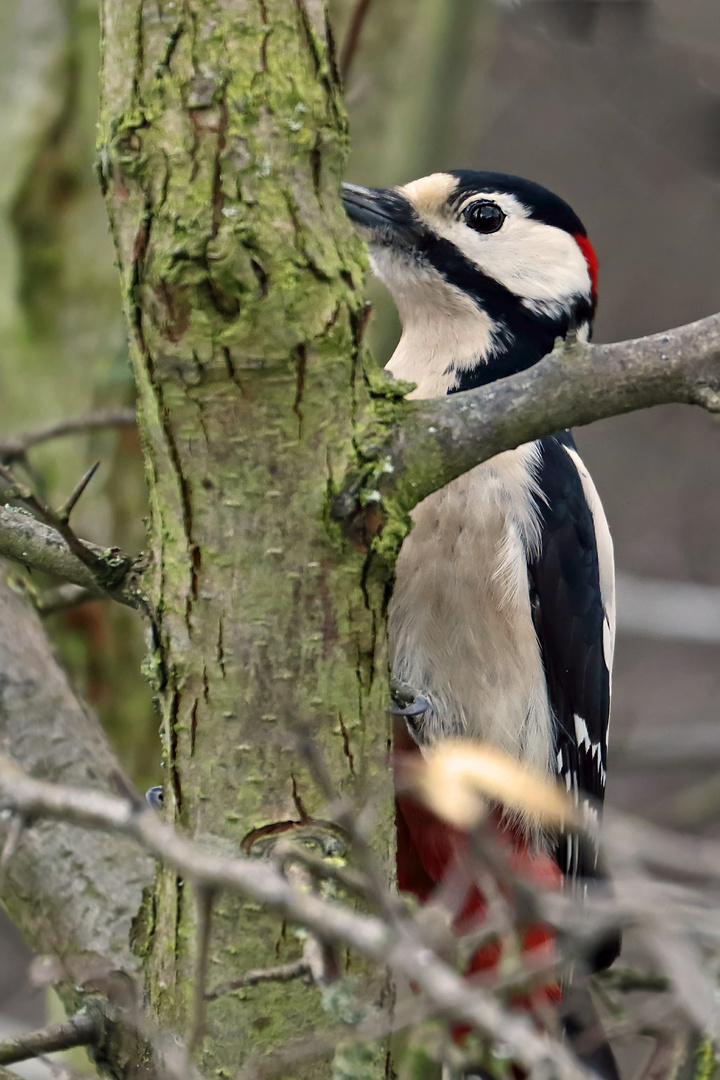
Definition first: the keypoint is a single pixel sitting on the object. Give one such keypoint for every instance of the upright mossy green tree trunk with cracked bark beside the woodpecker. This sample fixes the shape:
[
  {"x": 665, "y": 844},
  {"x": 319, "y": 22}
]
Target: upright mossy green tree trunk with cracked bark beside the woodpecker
[{"x": 222, "y": 145}]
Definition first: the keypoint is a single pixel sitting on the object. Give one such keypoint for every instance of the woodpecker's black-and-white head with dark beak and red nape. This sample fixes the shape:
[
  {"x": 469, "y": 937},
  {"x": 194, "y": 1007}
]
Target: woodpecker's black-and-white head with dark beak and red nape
[{"x": 486, "y": 271}]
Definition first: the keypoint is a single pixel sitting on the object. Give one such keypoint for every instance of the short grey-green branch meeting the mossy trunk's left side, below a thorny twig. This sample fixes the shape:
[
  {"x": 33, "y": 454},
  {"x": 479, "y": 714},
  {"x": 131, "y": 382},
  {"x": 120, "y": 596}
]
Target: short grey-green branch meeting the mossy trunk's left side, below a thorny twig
[{"x": 26, "y": 541}]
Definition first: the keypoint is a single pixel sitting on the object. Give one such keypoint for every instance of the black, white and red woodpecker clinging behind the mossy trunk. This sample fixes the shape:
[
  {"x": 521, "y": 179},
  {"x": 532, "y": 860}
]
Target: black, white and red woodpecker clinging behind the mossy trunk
[{"x": 502, "y": 619}]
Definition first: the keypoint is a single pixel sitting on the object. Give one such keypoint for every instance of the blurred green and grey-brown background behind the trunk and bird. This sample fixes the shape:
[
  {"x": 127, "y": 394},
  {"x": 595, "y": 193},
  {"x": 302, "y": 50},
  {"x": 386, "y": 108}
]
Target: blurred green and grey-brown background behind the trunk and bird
[{"x": 615, "y": 105}]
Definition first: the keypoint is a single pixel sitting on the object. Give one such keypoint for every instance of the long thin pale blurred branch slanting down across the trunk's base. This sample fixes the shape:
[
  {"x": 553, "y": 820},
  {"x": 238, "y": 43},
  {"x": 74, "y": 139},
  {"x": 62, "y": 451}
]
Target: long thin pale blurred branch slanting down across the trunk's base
[{"x": 397, "y": 948}]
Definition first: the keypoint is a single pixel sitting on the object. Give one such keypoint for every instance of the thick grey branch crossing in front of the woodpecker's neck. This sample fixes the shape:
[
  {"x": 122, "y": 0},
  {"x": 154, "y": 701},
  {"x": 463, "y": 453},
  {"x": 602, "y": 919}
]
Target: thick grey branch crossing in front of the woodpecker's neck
[{"x": 575, "y": 386}]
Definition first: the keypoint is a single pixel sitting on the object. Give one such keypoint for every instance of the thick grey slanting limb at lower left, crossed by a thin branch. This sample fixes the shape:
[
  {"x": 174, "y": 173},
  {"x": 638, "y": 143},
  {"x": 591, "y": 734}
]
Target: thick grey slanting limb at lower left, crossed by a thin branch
[{"x": 74, "y": 896}]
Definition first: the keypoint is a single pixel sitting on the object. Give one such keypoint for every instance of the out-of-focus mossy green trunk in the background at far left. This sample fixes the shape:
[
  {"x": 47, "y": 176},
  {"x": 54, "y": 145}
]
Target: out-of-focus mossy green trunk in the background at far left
[{"x": 62, "y": 336}]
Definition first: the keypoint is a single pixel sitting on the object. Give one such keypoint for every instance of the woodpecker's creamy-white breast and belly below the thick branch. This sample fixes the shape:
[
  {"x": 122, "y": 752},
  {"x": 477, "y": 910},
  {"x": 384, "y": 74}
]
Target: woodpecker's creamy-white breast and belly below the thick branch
[{"x": 460, "y": 623}]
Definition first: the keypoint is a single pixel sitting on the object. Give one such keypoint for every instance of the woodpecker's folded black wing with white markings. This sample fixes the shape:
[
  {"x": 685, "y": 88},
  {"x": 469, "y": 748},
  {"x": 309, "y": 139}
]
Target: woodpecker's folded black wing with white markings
[{"x": 573, "y": 595}]
